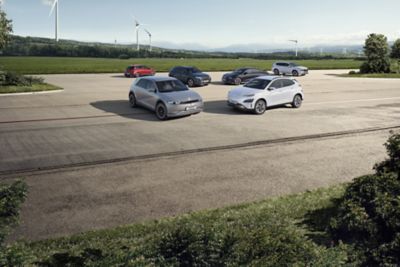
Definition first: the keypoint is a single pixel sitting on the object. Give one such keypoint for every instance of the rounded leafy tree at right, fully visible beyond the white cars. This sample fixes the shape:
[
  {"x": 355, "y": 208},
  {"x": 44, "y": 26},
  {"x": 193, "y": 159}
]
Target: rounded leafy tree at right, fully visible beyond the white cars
[{"x": 376, "y": 50}]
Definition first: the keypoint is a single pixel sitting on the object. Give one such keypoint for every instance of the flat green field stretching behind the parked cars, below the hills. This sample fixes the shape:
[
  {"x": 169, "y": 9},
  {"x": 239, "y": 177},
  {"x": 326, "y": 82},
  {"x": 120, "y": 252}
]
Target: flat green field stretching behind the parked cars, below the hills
[{"x": 54, "y": 65}]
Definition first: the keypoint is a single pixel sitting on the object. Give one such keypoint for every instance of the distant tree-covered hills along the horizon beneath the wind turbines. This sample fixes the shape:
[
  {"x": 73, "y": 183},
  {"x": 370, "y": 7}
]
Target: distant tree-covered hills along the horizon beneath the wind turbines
[{"x": 38, "y": 46}]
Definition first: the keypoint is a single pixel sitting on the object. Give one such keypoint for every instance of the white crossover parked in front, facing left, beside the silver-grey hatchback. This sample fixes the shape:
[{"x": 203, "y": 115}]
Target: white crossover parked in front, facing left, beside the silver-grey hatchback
[{"x": 266, "y": 91}]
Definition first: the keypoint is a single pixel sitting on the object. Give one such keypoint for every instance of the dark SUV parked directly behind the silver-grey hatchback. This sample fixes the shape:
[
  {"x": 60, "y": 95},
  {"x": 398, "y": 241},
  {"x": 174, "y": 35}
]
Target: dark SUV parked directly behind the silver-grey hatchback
[{"x": 191, "y": 76}]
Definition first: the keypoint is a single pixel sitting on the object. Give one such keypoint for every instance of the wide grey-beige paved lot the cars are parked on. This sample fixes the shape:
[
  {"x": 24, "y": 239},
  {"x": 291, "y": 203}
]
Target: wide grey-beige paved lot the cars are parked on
[{"x": 93, "y": 162}]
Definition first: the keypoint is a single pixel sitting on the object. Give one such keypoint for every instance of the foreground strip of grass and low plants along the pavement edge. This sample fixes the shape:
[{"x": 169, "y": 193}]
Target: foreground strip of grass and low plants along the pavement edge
[{"x": 283, "y": 231}]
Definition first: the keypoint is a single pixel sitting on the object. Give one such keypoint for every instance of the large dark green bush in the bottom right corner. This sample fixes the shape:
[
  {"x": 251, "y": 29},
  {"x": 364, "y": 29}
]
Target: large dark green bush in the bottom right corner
[{"x": 368, "y": 214}]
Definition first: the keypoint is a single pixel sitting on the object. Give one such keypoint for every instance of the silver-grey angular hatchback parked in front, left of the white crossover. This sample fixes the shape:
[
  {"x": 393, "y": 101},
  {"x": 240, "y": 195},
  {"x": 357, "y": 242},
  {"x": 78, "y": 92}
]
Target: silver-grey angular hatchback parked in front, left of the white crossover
[{"x": 167, "y": 97}]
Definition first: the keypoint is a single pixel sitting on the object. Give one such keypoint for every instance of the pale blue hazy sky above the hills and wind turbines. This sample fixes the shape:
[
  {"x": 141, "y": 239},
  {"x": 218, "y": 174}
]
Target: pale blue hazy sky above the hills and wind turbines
[{"x": 210, "y": 24}]
